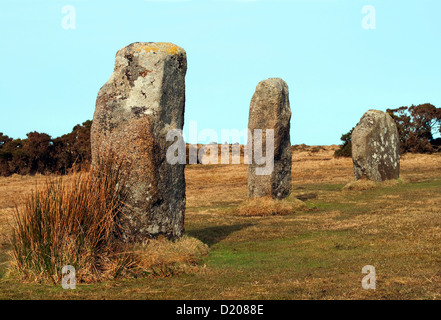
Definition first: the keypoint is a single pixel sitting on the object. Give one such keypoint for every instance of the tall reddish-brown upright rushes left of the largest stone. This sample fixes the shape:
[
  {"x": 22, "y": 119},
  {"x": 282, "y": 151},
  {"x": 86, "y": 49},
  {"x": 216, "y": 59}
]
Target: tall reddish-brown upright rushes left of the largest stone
[{"x": 71, "y": 223}]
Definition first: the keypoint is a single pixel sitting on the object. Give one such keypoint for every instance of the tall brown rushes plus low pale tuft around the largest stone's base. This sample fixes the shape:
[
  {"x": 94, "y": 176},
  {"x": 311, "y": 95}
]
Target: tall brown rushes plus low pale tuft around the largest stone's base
[{"x": 74, "y": 221}]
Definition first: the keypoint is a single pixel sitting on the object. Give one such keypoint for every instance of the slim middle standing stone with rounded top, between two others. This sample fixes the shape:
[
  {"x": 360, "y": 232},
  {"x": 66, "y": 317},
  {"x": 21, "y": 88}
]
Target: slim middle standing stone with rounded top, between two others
[{"x": 269, "y": 109}]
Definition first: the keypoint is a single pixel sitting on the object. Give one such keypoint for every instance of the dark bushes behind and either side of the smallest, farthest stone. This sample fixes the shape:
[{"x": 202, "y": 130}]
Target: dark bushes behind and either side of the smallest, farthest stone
[{"x": 417, "y": 127}]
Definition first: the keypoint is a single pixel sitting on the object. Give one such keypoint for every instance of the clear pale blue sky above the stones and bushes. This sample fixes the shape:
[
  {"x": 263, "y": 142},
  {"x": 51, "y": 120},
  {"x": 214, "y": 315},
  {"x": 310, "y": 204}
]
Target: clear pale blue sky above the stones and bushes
[{"x": 335, "y": 69}]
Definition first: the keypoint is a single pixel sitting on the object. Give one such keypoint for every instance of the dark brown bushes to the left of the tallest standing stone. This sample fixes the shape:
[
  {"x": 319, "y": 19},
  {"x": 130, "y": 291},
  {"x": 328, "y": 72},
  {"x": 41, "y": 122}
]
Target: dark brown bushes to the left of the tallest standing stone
[{"x": 40, "y": 153}]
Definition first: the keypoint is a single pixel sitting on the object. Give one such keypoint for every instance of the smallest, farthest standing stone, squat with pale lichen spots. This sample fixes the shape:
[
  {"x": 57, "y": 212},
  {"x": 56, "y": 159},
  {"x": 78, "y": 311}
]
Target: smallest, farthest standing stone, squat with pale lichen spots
[{"x": 376, "y": 147}]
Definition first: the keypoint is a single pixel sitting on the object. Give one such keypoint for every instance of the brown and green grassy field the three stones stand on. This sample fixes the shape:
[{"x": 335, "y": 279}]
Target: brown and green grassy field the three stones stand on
[{"x": 316, "y": 252}]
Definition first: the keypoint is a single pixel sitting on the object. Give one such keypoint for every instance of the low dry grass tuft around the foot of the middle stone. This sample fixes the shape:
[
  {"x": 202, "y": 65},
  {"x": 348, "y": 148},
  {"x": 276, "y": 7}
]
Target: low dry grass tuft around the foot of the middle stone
[{"x": 267, "y": 206}]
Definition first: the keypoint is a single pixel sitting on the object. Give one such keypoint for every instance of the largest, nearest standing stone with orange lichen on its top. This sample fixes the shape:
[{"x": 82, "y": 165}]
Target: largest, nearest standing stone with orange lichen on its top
[{"x": 144, "y": 99}]
